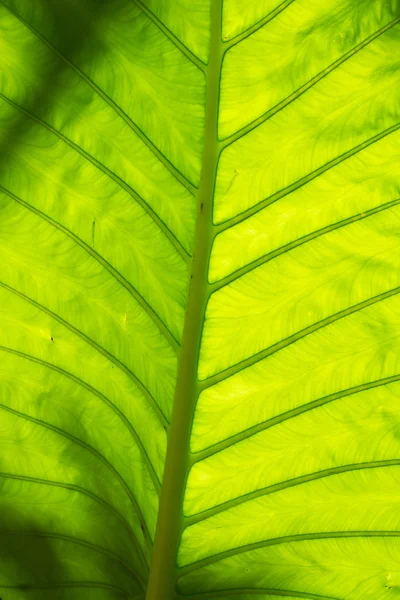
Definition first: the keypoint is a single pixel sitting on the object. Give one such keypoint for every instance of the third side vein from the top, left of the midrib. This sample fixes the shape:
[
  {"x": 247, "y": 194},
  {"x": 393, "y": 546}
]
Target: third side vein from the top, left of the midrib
[{"x": 183, "y": 253}]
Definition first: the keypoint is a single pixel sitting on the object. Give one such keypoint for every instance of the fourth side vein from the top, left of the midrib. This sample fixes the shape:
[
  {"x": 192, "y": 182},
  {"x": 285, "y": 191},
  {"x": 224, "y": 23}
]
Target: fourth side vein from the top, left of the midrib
[{"x": 106, "y": 266}]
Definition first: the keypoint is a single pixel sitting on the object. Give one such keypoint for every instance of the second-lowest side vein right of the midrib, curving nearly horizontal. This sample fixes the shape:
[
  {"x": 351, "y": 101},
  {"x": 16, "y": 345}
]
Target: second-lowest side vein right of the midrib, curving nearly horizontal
[{"x": 285, "y": 540}]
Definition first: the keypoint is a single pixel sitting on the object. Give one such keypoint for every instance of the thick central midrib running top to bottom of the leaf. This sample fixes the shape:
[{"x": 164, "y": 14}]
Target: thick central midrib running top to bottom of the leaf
[{"x": 164, "y": 570}]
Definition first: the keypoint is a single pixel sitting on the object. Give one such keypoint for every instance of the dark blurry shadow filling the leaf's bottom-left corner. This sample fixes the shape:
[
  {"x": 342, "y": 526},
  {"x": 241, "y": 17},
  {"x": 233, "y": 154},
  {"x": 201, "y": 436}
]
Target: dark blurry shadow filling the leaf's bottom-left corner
[{"x": 33, "y": 558}]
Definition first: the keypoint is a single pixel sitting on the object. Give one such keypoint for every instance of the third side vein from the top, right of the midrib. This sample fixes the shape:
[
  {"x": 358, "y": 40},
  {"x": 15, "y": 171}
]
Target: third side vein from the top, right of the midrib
[{"x": 306, "y": 179}]
